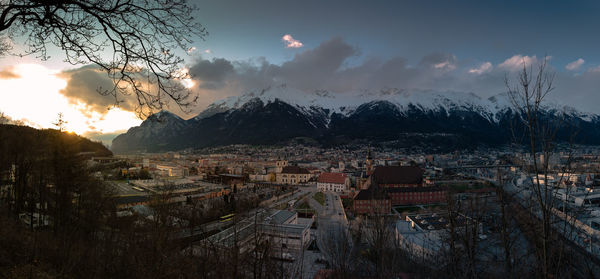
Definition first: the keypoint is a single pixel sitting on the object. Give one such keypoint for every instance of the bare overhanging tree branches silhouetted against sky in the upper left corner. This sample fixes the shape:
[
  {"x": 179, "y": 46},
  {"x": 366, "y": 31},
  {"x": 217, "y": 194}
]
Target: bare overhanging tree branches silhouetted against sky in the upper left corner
[{"x": 134, "y": 41}]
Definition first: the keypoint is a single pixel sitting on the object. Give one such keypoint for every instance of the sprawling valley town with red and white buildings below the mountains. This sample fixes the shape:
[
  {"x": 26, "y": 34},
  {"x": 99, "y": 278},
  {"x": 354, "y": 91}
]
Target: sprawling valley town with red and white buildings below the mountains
[{"x": 310, "y": 202}]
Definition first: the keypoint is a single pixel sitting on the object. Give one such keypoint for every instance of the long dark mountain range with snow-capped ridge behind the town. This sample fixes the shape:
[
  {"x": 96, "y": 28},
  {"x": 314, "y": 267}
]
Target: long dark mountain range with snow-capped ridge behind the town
[{"x": 407, "y": 117}]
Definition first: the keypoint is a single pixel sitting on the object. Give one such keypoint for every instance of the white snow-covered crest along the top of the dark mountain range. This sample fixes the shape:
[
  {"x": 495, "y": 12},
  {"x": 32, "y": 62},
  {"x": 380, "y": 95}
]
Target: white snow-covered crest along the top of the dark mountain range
[{"x": 346, "y": 103}]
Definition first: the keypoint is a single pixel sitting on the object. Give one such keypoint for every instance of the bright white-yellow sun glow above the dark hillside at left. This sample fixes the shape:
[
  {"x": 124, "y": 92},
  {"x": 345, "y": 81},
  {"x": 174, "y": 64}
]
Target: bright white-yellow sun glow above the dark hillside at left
[{"x": 32, "y": 94}]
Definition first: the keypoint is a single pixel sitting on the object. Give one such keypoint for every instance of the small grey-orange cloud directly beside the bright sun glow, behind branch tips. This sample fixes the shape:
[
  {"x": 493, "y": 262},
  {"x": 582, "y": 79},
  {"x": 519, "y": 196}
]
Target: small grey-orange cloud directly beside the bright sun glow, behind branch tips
[{"x": 84, "y": 84}]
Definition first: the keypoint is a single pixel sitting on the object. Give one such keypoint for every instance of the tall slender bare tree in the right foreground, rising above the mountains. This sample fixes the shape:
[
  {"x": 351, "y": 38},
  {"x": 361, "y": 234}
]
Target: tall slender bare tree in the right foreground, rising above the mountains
[{"x": 550, "y": 229}]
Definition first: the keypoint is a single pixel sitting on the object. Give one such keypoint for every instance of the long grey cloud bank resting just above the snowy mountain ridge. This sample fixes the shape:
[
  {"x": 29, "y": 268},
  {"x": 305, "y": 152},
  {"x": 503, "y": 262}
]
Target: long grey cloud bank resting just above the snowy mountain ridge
[{"x": 338, "y": 67}]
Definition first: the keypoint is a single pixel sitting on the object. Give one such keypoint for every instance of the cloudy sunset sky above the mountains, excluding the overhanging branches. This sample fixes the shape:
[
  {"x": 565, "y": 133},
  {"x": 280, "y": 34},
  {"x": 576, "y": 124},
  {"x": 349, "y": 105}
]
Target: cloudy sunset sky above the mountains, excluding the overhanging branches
[{"x": 340, "y": 46}]
